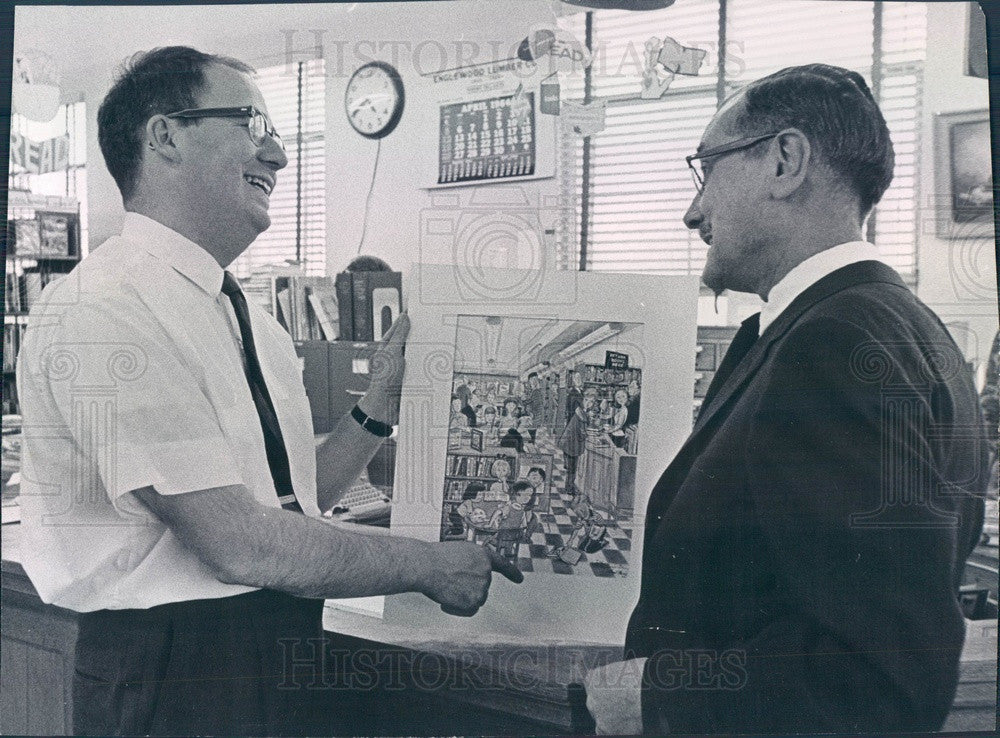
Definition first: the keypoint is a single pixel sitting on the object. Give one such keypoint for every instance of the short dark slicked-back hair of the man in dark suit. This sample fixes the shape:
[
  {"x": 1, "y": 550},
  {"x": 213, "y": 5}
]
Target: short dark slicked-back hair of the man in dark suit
[{"x": 835, "y": 108}]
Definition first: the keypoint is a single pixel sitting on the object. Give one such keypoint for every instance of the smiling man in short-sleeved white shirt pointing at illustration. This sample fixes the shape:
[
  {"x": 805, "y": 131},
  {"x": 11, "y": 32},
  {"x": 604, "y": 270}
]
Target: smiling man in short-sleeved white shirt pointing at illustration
[{"x": 171, "y": 487}]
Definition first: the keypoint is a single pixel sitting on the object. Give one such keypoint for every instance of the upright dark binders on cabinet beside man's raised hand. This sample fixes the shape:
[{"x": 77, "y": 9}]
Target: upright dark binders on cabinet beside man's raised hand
[{"x": 368, "y": 303}]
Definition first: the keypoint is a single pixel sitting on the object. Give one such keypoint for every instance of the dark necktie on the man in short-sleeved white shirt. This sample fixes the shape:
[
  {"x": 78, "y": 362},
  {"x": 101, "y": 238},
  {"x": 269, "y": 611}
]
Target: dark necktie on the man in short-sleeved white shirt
[{"x": 277, "y": 456}]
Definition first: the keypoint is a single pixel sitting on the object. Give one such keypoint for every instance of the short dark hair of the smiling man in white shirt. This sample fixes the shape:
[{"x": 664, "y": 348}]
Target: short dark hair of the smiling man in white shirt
[{"x": 155, "y": 82}]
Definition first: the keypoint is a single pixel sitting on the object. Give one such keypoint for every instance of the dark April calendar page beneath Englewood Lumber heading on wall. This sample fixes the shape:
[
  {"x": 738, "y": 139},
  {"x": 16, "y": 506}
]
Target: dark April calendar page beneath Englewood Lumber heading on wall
[{"x": 486, "y": 140}]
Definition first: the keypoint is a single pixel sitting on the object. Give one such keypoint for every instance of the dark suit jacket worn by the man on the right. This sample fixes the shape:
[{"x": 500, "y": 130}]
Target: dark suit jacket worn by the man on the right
[{"x": 804, "y": 549}]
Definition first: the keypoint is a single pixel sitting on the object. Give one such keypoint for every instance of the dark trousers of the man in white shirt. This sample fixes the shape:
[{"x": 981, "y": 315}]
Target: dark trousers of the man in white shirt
[{"x": 230, "y": 666}]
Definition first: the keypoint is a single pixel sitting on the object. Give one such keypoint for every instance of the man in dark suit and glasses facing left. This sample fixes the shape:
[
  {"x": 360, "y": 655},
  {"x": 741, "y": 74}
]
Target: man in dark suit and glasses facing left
[{"x": 803, "y": 551}]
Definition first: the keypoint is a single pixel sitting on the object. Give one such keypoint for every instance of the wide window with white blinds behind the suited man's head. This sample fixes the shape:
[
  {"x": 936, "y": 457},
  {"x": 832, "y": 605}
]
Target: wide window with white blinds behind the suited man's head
[{"x": 630, "y": 183}]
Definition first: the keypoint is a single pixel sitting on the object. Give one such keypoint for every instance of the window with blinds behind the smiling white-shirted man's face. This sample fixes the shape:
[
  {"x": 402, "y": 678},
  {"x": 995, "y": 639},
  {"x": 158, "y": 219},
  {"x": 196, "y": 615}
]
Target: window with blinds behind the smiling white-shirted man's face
[{"x": 295, "y": 99}]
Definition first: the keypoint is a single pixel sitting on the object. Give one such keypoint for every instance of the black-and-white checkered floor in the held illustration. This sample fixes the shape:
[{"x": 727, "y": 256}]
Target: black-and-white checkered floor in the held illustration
[{"x": 558, "y": 524}]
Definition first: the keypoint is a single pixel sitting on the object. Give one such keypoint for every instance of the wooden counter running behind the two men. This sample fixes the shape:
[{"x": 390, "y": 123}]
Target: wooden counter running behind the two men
[{"x": 378, "y": 688}]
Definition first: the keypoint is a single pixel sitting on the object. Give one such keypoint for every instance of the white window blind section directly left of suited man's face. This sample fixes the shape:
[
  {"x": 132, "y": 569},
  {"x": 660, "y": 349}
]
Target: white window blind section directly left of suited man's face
[{"x": 639, "y": 186}]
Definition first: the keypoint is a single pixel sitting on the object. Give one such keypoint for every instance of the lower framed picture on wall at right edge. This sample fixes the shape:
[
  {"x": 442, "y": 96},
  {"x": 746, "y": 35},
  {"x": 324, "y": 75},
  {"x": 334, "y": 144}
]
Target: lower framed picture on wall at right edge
[{"x": 963, "y": 175}]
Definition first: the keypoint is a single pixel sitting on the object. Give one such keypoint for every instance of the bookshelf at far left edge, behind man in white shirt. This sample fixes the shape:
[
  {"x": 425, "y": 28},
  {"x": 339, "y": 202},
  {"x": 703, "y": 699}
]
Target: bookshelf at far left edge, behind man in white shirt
[{"x": 43, "y": 244}]
